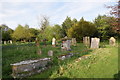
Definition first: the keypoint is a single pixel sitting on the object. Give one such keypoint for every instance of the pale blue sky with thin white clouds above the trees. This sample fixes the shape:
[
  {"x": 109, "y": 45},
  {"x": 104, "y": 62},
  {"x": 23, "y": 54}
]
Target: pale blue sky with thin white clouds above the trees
[{"x": 14, "y": 12}]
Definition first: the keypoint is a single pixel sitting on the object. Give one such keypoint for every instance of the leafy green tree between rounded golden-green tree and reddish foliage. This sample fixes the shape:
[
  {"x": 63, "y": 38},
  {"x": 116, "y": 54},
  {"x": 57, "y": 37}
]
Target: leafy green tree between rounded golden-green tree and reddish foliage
[{"x": 104, "y": 26}]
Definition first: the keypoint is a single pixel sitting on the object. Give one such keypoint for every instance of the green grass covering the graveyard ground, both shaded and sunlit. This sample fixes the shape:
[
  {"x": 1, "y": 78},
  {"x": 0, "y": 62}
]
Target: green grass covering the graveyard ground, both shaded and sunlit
[{"x": 103, "y": 62}]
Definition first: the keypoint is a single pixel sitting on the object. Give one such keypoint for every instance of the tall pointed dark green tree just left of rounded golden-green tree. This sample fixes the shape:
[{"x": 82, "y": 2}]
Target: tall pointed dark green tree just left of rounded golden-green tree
[{"x": 66, "y": 25}]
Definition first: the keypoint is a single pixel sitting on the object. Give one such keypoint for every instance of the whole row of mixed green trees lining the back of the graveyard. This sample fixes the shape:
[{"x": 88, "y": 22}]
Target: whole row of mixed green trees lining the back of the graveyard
[{"x": 102, "y": 27}]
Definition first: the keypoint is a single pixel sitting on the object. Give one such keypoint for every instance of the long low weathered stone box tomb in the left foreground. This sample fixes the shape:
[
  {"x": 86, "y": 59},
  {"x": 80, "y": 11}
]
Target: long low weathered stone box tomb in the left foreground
[{"x": 30, "y": 67}]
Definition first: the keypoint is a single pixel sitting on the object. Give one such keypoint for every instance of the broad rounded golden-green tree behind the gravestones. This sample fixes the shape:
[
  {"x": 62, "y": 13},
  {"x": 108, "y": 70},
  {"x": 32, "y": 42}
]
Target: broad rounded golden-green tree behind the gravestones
[{"x": 81, "y": 29}]
